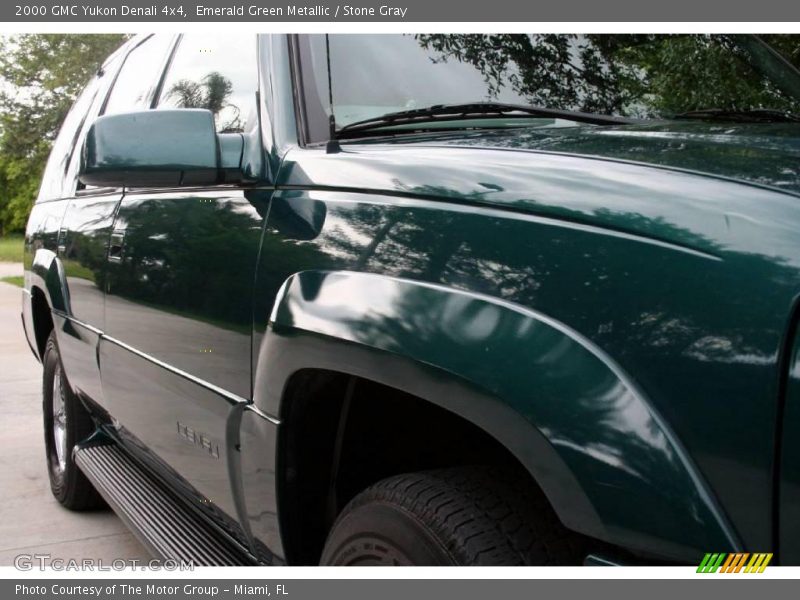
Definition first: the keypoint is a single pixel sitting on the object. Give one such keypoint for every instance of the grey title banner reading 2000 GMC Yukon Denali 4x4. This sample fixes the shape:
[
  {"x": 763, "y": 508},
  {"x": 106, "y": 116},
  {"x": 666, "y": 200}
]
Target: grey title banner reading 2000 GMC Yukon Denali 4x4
[{"x": 459, "y": 11}]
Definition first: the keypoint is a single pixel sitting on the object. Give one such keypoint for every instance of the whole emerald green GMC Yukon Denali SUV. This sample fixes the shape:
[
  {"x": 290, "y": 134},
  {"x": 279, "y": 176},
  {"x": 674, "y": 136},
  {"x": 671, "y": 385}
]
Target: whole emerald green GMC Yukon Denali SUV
[{"x": 433, "y": 299}]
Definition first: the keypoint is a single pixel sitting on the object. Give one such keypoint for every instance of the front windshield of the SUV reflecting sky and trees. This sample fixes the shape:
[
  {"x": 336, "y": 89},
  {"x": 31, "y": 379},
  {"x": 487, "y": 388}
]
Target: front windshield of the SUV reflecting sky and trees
[{"x": 635, "y": 76}]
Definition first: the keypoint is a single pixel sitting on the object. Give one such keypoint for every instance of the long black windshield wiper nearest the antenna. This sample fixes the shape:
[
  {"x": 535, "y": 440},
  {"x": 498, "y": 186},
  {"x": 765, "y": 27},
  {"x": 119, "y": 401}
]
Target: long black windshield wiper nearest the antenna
[{"x": 475, "y": 110}]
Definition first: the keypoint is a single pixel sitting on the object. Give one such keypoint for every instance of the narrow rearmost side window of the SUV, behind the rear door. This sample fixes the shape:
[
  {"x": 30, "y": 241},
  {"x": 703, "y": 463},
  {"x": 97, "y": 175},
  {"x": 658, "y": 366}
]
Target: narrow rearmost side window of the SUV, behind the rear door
[{"x": 54, "y": 180}]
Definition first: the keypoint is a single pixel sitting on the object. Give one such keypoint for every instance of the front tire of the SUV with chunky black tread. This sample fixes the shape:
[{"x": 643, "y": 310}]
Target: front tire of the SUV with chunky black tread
[{"x": 460, "y": 516}]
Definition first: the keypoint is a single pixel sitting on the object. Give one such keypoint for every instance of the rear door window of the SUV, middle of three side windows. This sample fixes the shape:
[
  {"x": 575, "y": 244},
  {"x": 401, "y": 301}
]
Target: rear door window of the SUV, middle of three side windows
[{"x": 138, "y": 77}]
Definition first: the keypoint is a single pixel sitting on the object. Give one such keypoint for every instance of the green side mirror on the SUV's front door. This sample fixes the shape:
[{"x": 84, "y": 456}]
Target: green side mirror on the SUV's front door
[{"x": 159, "y": 148}]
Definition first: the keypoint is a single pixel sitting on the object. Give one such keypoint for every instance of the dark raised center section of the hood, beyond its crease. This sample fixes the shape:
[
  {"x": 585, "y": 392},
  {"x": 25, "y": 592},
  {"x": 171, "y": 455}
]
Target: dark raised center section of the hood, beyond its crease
[{"x": 763, "y": 154}]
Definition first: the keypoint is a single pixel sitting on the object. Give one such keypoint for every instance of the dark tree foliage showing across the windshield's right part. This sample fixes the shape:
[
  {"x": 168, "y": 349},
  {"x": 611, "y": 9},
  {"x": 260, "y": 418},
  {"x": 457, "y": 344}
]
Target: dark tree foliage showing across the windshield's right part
[{"x": 642, "y": 75}]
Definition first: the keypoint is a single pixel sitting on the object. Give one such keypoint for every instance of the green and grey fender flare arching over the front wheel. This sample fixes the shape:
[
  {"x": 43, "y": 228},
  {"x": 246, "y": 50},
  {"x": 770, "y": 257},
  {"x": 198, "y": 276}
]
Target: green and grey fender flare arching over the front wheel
[{"x": 609, "y": 464}]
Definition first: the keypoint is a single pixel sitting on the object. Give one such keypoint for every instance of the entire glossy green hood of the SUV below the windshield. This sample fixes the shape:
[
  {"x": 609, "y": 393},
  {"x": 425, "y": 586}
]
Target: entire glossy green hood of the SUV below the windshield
[{"x": 702, "y": 187}]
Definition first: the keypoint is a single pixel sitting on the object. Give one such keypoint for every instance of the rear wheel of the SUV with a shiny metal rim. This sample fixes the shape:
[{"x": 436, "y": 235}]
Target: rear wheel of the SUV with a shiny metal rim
[{"x": 66, "y": 422}]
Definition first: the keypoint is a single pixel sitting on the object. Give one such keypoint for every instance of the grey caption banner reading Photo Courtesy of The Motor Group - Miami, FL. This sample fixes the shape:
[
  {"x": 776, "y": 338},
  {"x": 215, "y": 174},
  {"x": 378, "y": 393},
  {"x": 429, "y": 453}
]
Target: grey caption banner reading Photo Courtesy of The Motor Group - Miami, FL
[{"x": 730, "y": 588}]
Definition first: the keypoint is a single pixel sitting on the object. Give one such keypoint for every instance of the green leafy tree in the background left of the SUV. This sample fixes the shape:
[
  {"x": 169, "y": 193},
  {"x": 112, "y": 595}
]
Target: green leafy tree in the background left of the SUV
[{"x": 40, "y": 77}]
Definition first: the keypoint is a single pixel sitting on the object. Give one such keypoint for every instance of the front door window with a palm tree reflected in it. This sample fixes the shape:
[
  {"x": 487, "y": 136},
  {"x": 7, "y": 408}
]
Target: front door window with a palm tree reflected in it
[{"x": 215, "y": 72}]
